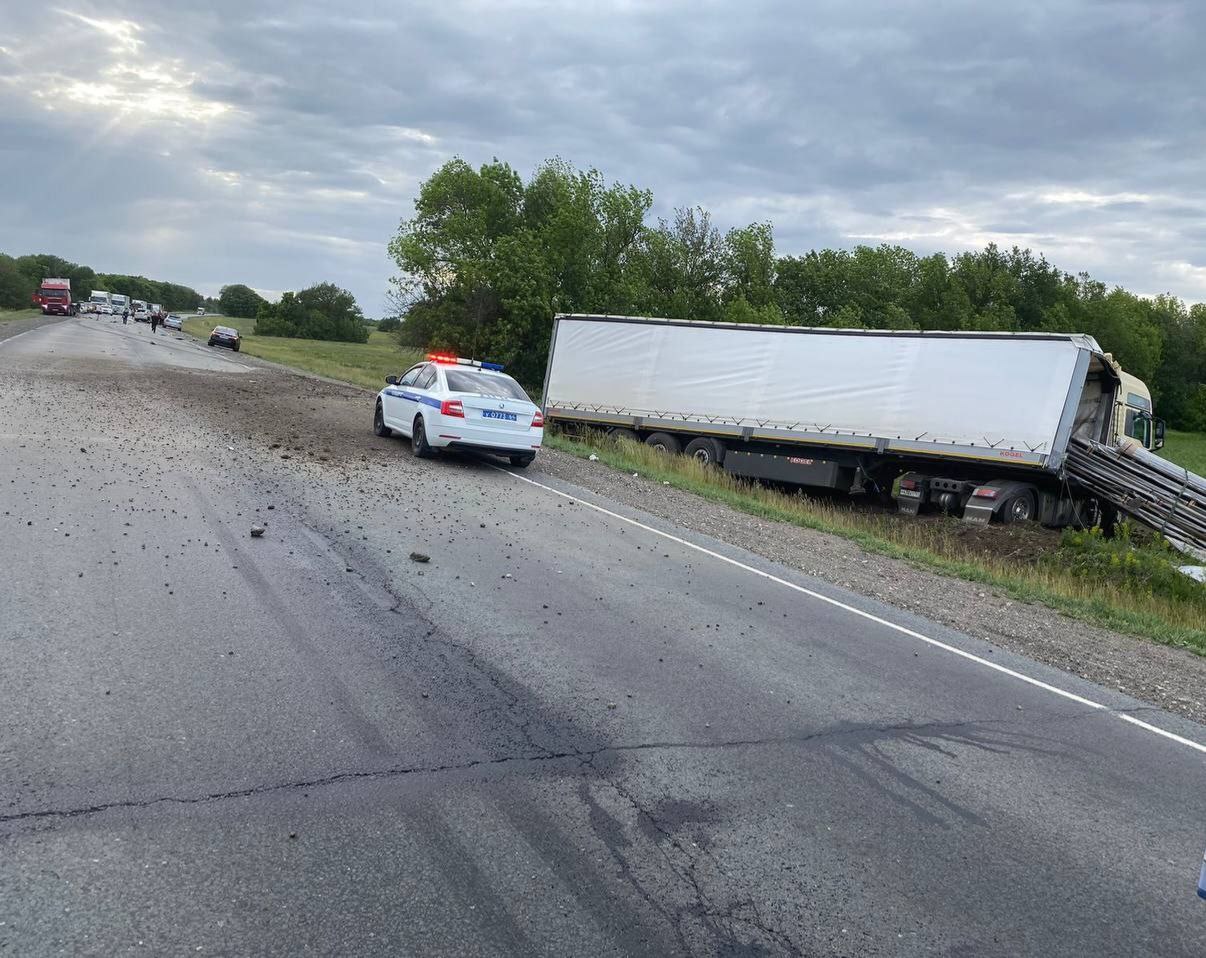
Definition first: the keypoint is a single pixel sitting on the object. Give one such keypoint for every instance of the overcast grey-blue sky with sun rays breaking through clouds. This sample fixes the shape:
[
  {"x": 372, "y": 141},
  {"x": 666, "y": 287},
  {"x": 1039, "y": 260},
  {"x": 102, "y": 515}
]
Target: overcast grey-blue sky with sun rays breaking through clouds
[{"x": 279, "y": 144}]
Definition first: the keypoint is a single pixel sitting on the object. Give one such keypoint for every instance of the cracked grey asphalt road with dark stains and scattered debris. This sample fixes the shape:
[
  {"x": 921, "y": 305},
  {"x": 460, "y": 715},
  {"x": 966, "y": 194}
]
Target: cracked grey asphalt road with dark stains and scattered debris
[{"x": 566, "y": 734}]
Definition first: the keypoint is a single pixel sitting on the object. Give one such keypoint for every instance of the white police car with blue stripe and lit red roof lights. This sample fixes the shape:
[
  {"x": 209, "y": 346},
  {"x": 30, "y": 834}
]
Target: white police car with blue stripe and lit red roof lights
[{"x": 448, "y": 402}]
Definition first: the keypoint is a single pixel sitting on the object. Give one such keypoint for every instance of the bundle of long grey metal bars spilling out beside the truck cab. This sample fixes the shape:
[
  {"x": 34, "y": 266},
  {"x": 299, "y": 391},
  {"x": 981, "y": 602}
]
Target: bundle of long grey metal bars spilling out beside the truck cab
[{"x": 1157, "y": 493}]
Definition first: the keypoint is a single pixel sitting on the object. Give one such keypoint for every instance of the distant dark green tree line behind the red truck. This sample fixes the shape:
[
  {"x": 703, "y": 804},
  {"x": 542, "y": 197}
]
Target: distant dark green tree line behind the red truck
[{"x": 22, "y": 276}]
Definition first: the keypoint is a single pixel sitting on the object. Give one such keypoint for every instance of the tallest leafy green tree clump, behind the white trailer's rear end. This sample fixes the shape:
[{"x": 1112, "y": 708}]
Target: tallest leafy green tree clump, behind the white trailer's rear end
[{"x": 488, "y": 259}]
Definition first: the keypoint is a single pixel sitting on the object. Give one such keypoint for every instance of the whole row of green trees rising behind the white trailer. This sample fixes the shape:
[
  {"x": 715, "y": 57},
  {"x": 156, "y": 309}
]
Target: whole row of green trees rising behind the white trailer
[{"x": 489, "y": 259}]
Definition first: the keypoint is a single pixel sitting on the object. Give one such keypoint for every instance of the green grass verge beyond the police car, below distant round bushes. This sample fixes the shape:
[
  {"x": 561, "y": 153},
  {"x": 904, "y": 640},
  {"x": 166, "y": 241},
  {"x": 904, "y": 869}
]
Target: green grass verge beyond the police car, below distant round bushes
[{"x": 365, "y": 365}]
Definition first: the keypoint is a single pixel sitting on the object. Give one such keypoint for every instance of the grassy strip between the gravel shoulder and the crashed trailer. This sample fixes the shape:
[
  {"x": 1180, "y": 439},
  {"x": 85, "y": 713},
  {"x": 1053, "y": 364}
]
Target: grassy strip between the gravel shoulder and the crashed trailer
[{"x": 1126, "y": 585}]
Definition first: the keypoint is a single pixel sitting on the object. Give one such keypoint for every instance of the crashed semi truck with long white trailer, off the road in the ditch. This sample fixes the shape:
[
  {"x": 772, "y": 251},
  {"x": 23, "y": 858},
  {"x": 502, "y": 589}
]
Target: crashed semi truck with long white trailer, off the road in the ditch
[{"x": 971, "y": 424}]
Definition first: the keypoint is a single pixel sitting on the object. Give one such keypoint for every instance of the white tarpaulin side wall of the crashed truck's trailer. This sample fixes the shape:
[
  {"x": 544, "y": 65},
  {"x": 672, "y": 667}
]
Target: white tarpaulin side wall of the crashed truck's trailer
[{"x": 1005, "y": 393}]
